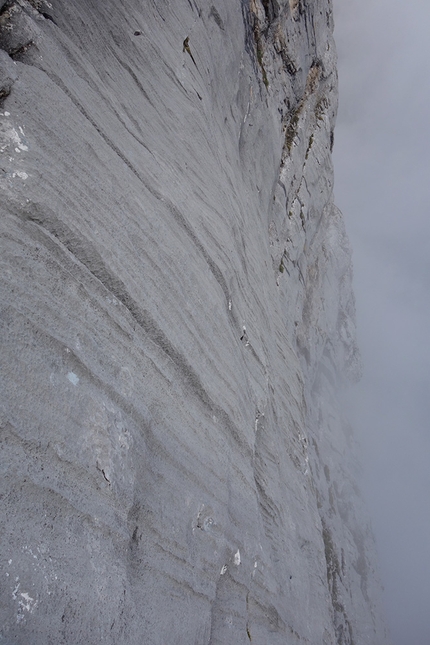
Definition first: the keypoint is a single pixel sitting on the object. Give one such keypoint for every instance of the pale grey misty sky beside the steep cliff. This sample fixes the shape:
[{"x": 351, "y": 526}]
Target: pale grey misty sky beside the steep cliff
[{"x": 382, "y": 185}]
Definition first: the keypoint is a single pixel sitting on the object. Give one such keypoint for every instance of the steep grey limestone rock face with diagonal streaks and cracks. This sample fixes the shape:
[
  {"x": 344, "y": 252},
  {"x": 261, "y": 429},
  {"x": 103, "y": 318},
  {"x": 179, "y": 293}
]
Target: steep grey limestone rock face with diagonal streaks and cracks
[{"x": 177, "y": 321}]
